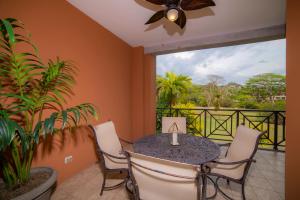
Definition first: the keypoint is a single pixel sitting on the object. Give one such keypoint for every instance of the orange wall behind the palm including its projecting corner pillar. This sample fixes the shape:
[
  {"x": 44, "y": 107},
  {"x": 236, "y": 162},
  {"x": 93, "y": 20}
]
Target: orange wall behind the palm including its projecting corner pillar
[{"x": 111, "y": 76}]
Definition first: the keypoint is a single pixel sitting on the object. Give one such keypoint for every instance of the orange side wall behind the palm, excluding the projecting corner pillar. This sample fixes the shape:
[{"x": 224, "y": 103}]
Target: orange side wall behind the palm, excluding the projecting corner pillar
[{"x": 104, "y": 62}]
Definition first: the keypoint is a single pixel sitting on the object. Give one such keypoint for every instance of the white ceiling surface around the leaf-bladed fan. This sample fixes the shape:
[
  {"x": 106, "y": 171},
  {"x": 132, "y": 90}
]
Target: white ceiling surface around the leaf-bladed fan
[{"x": 126, "y": 18}]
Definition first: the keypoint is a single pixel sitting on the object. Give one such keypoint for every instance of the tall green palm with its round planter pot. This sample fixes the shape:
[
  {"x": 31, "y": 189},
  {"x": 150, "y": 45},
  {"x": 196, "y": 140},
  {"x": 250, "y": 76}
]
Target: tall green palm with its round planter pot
[{"x": 32, "y": 99}]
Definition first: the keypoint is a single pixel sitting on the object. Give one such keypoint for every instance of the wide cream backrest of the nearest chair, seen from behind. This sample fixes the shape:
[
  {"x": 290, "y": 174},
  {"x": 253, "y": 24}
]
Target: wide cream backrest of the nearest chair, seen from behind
[{"x": 162, "y": 179}]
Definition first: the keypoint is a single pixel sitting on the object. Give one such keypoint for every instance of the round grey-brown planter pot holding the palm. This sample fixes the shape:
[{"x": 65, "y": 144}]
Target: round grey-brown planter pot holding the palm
[{"x": 43, "y": 191}]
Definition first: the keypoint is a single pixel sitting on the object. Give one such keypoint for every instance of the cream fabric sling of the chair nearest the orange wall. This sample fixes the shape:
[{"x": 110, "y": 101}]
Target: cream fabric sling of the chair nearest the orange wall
[{"x": 108, "y": 142}]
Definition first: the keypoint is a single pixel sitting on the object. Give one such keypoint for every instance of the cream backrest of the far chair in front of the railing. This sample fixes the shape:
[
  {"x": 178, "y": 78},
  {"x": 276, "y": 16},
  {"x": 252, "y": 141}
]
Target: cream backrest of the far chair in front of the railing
[{"x": 169, "y": 122}]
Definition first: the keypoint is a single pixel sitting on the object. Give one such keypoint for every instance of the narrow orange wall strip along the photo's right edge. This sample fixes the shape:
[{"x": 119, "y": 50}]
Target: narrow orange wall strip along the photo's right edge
[{"x": 293, "y": 101}]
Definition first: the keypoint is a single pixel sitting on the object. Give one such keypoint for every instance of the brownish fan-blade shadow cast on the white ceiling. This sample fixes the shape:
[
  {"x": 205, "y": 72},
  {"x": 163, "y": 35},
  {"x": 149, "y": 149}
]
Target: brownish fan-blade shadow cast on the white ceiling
[{"x": 169, "y": 26}]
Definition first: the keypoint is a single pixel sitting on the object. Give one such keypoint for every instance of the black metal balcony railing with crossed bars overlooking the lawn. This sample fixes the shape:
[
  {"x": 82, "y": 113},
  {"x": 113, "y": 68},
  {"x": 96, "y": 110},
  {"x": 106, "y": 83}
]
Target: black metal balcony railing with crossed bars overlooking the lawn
[{"x": 221, "y": 124}]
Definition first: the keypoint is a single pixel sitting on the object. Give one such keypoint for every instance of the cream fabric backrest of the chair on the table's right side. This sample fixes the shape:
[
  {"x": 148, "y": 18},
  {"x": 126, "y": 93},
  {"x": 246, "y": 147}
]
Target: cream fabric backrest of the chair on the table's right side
[{"x": 244, "y": 144}]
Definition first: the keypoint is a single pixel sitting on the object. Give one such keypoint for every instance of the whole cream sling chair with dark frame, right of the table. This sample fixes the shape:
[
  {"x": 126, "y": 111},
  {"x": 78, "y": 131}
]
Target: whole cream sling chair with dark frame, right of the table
[{"x": 238, "y": 158}]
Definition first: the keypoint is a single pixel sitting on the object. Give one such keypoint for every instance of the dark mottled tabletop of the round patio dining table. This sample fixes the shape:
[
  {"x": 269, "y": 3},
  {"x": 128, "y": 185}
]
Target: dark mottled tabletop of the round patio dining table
[{"x": 191, "y": 149}]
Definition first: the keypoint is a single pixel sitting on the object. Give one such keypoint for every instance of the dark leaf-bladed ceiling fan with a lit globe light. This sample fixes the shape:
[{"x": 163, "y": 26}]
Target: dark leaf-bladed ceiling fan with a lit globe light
[{"x": 175, "y": 10}]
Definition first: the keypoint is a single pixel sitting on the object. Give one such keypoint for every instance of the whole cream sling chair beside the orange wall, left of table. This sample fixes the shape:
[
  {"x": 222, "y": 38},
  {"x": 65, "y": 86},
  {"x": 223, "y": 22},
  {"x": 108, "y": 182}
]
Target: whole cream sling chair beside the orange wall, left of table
[{"x": 110, "y": 154}]
